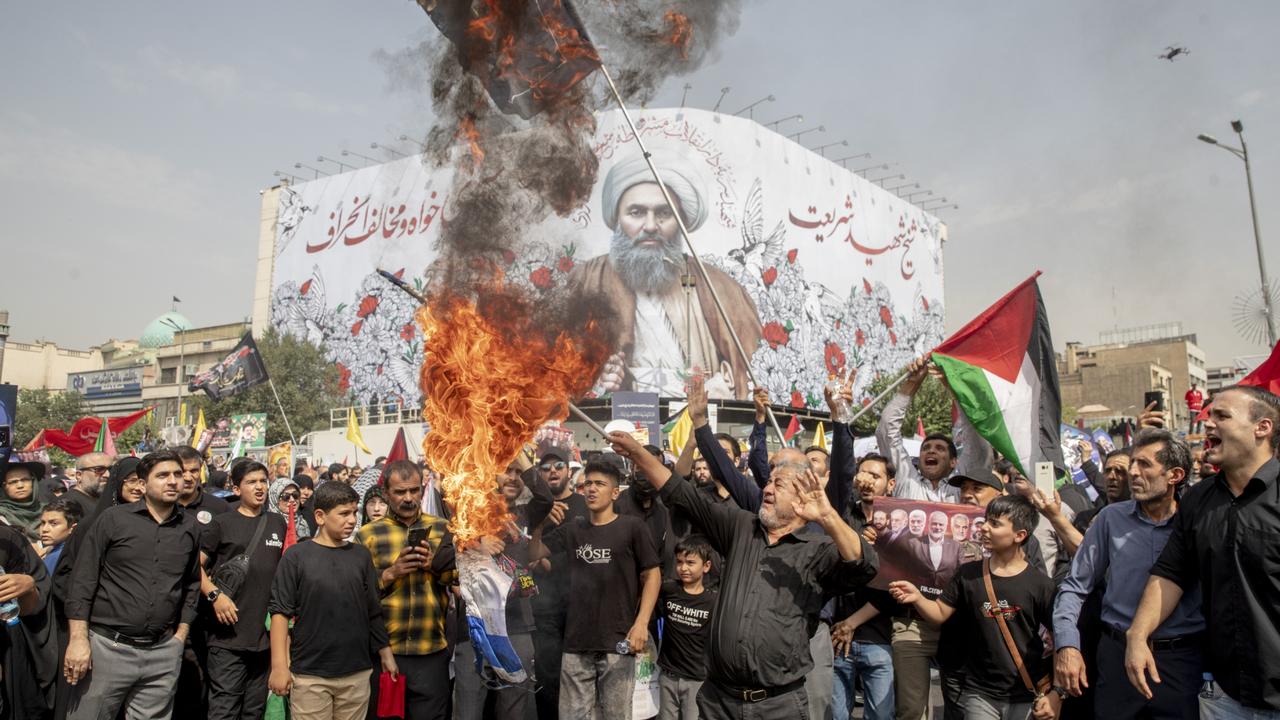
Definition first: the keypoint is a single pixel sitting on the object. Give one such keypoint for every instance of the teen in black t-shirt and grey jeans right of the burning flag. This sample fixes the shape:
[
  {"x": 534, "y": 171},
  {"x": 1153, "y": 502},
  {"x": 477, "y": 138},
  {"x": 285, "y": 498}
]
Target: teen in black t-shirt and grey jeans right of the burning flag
[{"x": 609, "y": 612}]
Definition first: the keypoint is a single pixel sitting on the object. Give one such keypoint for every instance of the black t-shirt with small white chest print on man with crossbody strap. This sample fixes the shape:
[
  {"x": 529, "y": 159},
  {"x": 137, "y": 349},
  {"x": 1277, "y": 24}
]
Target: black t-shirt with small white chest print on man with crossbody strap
[{"x": 226, "y": 537}]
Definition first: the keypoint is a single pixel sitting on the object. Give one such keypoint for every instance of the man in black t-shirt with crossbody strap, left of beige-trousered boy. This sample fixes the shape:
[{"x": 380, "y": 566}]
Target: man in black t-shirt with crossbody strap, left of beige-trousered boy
[{"x": 240, "y": 651}]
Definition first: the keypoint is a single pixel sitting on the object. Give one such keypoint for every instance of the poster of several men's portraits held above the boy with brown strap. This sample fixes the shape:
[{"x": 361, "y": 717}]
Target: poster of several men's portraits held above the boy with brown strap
[{"x": 925, "y": 543}]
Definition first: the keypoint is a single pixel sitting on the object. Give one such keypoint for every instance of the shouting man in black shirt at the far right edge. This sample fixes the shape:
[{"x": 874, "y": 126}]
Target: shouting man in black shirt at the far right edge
[{"x": 1227, "y": 539}]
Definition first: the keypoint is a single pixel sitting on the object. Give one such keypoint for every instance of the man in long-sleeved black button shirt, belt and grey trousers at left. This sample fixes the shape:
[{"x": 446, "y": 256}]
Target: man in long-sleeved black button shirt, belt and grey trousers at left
[{"x": 132, "y": 600}]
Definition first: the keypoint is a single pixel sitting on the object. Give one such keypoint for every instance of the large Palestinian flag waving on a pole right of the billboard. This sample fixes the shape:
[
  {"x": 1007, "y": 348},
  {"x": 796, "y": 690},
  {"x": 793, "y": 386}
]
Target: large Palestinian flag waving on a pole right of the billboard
[{"x": 1003, "y": 371}]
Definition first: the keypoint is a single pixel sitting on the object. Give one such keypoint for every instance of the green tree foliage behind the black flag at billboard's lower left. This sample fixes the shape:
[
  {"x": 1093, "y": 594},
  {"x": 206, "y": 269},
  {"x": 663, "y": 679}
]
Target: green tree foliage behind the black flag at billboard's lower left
[{"x": 307, "y": 381}]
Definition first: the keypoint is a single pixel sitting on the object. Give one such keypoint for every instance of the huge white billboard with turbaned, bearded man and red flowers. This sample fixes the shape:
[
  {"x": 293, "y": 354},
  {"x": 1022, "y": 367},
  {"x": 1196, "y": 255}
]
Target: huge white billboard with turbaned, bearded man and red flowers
[{"x": 819, "y": 267}]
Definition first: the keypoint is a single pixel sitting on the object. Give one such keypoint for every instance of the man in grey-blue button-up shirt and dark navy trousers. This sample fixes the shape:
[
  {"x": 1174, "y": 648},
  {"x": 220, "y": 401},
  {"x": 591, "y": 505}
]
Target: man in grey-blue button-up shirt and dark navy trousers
[{"x": 1121, "y": 549}]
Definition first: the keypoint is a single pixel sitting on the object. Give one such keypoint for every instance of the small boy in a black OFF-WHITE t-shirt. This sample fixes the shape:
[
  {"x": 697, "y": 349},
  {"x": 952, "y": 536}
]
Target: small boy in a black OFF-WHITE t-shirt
[{"x": 687, "y": 610}]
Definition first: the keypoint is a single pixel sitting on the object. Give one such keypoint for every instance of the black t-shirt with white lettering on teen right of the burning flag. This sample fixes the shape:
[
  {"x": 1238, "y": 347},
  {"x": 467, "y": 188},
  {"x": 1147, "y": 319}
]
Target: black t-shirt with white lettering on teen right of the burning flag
[{"x": 605, "y": 566}]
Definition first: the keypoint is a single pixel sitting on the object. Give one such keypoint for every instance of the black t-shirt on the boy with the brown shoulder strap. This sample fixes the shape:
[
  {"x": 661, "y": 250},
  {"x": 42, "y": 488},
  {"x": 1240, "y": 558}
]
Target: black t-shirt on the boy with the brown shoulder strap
[{"x": 1027, "y": 604}]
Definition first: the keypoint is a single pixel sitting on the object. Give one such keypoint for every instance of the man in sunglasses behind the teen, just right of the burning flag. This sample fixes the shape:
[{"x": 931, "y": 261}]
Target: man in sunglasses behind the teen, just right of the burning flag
[{"x": 551, "y": 576}]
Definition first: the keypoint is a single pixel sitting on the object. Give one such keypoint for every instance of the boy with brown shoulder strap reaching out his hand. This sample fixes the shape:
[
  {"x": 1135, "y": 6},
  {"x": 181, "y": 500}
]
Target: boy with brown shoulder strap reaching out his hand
[{"x": 995, "y": 690}]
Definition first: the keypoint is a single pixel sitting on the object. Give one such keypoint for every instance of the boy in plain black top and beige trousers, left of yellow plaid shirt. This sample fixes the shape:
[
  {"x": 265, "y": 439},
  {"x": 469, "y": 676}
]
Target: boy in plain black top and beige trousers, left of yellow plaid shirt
[{"x": 330, "y": 587}]
